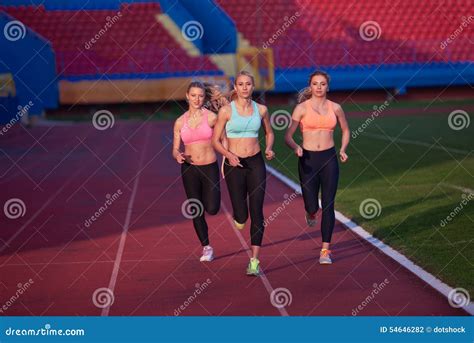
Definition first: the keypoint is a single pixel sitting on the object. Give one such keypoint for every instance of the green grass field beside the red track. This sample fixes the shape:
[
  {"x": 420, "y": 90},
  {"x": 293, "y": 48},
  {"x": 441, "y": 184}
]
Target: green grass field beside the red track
[{"x": 414, "y": 181}]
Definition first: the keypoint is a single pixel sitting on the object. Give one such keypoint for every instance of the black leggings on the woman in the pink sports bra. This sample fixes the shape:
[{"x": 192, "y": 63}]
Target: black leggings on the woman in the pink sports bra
[{"x": 202, "y": 183}]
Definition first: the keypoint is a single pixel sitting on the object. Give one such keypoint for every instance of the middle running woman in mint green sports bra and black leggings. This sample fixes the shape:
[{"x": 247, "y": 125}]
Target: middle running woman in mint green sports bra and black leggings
[{"x": 244, "y": 167}]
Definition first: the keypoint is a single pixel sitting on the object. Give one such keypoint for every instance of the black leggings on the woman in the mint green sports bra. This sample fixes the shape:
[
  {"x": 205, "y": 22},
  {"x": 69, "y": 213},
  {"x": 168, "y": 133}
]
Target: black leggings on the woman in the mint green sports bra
[{"x": 248, "y": 180}]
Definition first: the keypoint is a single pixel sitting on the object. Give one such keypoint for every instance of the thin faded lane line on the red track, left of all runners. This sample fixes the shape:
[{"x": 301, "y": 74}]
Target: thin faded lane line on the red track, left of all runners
[{"x": 126, "y": 224}]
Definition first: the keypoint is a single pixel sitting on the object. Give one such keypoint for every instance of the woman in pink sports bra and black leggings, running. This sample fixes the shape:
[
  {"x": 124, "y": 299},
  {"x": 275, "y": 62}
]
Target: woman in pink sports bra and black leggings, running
[{"x": 199, "y": 169}]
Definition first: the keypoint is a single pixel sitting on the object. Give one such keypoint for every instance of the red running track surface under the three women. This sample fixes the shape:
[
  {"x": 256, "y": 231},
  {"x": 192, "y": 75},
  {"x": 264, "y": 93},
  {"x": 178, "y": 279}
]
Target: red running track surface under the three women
[{"x": 146, "y": 253}]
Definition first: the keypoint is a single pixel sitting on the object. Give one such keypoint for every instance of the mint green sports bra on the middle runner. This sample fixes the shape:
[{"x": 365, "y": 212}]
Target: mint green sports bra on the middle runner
[{"x": 243, "y": 126}]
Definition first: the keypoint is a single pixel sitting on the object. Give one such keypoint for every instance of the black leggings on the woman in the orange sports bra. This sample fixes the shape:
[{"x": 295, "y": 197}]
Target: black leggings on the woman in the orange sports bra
[{"x": 320, "y": 168}]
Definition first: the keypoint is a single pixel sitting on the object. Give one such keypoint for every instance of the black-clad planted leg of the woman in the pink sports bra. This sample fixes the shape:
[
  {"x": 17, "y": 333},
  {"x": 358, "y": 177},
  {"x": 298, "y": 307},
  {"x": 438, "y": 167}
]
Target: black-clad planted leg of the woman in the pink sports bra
[{"x": 193, "y": 188}]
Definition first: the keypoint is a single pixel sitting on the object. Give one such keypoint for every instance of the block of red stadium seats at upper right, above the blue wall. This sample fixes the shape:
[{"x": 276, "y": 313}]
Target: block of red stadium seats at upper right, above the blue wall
[{"x": 405, "y": 30}]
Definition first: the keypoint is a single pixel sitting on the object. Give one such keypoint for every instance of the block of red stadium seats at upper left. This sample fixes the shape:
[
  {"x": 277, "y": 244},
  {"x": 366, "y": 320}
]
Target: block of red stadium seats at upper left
[{"x": 135, "y": 43}]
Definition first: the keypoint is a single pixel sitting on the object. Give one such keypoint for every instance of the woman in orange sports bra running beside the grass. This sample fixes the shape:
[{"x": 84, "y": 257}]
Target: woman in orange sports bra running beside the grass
[{"x": 317, "y": 118}]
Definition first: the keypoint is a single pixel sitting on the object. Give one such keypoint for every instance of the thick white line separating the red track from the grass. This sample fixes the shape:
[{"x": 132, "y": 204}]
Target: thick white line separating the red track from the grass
[{"x": 430, "y": 279}]
